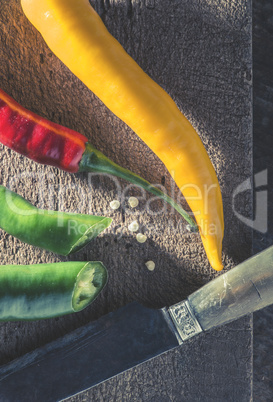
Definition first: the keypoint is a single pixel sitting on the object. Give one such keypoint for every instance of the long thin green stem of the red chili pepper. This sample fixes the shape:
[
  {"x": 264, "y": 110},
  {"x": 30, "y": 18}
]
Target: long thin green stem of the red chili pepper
[{"x": 95, "y": 161}]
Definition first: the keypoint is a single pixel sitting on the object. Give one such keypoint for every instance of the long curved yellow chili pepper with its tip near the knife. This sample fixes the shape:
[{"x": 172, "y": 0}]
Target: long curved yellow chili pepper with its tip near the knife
[{"x": 76, "y": 34}]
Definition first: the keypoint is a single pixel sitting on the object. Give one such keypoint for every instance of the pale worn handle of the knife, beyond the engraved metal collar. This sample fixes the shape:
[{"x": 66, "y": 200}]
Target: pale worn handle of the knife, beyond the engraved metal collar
[{"x": 242, "y": 290}]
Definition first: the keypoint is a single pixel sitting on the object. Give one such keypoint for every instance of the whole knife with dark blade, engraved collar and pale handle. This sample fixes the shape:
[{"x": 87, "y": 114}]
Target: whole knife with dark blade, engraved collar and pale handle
[{"x": 133, "y": 334}]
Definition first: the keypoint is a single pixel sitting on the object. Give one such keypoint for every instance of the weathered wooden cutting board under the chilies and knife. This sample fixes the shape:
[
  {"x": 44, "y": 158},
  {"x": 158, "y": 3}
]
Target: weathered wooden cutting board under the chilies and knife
[{"x": 199, "y": 52}]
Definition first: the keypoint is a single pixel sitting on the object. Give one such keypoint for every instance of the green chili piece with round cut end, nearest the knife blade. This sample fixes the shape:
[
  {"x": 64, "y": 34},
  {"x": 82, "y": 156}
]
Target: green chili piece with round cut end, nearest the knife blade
[{"x": 32, "y": 292}]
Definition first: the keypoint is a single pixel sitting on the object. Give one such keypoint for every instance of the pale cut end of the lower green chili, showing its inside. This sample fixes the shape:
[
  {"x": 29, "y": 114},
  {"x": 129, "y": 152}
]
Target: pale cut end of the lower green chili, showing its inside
[{"x": 90, "y": 281}]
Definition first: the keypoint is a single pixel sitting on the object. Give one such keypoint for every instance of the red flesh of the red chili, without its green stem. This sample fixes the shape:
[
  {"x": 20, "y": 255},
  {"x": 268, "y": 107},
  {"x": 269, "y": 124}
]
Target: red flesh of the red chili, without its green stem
[{"x": 40, "y": 140}]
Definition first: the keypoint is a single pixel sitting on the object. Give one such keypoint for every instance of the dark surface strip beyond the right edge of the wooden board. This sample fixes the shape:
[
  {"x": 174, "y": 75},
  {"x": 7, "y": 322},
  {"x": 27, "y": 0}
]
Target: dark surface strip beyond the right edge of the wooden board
[{"x": 263, "y": 160}]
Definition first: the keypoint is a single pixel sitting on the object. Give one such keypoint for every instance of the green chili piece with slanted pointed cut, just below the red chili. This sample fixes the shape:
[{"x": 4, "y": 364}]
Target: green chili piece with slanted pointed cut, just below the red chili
[{"x": 60, "y": 232}]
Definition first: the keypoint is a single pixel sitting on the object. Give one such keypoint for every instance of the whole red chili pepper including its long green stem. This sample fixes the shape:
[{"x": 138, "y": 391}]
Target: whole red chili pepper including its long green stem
[{"x": 51, "y": 144}]
